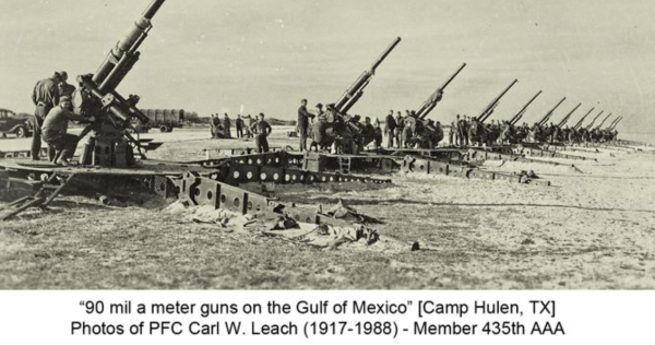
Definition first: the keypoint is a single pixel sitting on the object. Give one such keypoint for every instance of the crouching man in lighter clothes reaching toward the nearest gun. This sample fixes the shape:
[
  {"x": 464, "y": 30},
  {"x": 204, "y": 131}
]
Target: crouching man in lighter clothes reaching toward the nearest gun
[{"x": 55, "y": 127}]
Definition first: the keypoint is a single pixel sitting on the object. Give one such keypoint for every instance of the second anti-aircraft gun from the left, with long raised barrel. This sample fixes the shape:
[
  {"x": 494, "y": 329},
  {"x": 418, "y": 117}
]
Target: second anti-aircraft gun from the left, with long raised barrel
[{"x": 338, "y": 124}]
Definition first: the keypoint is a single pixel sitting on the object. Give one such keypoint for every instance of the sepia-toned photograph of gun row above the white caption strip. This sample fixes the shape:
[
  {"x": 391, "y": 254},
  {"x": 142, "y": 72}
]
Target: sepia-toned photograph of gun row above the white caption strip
[{"x": 315, "y": 144}]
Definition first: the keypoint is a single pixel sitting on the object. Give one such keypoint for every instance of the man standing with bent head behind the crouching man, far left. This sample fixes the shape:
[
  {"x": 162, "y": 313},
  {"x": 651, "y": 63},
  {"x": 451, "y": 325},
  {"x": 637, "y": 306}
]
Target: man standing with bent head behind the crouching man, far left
[{"x": 45, "y": 96}]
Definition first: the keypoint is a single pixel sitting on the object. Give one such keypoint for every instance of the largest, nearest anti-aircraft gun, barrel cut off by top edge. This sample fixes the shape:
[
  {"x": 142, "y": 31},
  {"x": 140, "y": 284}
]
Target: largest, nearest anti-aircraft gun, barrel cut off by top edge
[{"x": 111, "y": 143}]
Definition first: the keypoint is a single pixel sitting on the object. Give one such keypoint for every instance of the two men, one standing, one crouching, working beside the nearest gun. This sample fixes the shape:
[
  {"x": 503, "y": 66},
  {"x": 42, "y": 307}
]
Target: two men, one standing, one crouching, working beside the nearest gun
[{"x": 52, "y": 98}]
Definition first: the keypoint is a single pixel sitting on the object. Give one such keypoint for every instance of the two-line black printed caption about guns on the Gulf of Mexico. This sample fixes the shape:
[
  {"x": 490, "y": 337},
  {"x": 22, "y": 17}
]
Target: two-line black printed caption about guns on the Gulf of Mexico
[{"x": 317, "y": 318}]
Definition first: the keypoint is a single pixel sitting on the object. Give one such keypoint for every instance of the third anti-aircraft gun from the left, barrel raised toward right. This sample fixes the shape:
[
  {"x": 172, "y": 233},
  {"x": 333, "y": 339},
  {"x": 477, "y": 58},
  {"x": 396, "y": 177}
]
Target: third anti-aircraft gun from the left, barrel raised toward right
[{"x": 426, "y": 133}]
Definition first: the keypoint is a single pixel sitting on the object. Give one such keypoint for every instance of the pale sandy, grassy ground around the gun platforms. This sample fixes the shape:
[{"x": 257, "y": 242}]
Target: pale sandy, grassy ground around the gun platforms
[{"x": 594, "y": 228}]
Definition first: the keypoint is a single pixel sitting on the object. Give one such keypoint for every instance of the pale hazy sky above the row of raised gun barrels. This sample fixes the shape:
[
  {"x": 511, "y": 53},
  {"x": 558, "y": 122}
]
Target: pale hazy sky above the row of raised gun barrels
[{"x": 214, "y": 56}]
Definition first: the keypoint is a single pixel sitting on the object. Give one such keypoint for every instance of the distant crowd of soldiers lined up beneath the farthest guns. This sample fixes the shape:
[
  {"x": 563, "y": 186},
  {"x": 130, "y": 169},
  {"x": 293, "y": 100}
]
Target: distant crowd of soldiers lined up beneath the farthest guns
[{"x": 466, "y": 131}]
